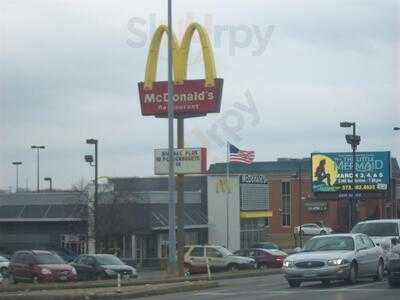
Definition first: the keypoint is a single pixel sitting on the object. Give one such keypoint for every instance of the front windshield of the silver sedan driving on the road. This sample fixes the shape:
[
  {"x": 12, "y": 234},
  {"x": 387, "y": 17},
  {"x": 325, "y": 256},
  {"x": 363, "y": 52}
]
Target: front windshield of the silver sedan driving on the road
[{"x": 330, "y": 243}]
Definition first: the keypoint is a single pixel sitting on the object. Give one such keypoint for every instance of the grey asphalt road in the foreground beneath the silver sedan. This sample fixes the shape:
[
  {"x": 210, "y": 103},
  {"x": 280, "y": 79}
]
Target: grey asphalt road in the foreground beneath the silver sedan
[{"x": 276, "y": 287}]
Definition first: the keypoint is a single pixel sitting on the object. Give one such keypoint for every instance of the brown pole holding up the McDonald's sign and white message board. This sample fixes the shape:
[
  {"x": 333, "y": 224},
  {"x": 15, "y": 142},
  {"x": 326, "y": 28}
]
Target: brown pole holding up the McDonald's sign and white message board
[{"x": 180, "y": 205}]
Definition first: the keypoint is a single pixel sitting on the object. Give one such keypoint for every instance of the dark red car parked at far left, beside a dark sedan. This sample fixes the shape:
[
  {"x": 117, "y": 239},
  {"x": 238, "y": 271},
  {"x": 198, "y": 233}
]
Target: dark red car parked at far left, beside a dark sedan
[{"x": 40, "y": 266}]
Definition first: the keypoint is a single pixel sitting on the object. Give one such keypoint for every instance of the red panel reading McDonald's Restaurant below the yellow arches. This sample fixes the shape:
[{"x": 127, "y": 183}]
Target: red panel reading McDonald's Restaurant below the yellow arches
[{"x": 192, "y": 98}]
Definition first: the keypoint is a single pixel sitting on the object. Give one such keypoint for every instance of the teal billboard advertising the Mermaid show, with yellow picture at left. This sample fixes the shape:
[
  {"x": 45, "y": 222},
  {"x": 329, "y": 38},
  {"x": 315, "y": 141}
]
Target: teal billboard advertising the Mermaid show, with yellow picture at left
[{"x": 333, "y": 172}]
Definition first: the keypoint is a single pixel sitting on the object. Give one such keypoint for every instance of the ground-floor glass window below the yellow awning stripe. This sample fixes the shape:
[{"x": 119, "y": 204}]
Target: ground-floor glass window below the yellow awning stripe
[{"x": 252, "y": 231}]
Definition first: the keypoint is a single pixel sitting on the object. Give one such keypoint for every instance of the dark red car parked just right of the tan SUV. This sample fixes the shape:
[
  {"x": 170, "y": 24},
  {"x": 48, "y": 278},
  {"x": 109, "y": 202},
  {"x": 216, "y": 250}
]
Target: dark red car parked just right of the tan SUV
[{"x": 265, "y": 258}]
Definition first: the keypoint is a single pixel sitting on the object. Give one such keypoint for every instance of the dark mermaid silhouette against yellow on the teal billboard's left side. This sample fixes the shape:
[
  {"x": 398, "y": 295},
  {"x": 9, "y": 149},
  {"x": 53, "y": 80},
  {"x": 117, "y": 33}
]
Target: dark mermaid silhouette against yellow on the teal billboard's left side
[{"x": 324, "y": 173}]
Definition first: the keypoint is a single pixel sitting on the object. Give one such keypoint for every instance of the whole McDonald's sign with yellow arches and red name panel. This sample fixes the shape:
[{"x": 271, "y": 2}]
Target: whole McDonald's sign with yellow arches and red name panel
[{"x": 191, "y": 97}]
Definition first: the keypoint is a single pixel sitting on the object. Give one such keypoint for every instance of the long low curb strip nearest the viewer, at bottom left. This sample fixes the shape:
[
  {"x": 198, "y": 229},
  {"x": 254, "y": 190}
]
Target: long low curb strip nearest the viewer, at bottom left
[{"x": 148, "y": 291}]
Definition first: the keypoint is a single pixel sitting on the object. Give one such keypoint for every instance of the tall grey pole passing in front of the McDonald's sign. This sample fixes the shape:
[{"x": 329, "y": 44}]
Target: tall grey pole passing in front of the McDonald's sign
[{"x": 171, "y": 179}]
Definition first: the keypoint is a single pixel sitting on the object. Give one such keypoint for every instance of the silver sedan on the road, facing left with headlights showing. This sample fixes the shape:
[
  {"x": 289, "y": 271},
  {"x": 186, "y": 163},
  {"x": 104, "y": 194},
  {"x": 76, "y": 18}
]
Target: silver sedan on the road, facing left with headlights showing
[{"x": 335, "y": 257}]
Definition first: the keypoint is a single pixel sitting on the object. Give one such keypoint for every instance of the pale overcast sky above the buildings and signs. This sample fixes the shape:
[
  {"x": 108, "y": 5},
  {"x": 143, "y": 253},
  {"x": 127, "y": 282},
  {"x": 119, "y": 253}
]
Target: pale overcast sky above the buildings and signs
[{"x": 69, "y": 71}]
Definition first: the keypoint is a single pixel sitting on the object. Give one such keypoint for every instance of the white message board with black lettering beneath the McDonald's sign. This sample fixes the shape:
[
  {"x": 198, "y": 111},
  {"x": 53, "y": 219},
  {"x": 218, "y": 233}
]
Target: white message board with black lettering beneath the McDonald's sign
[{"x": 187, "y": 161}]
